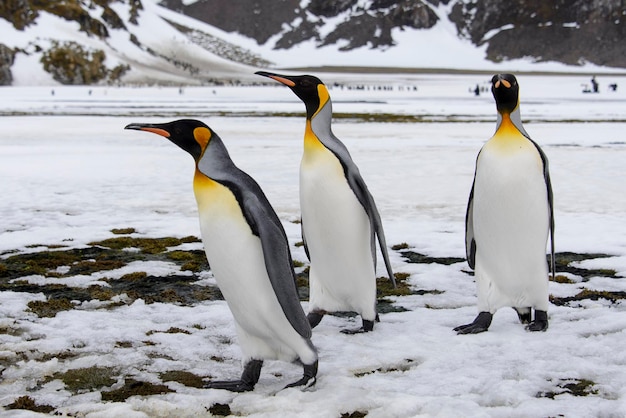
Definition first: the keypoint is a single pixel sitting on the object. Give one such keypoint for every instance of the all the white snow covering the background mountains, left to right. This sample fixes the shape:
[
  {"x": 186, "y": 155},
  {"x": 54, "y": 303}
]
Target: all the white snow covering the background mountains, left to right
[{"x": 161, "y": 46}]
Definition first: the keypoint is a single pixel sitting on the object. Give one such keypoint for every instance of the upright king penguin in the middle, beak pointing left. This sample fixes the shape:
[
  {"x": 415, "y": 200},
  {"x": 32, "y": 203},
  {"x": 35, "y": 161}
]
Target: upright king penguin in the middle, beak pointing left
[{"x": 340, "y": 221}]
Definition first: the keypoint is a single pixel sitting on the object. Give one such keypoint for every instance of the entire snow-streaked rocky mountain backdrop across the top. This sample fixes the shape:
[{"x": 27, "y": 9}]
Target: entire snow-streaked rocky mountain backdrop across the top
[{"x": 213, "y": 41}]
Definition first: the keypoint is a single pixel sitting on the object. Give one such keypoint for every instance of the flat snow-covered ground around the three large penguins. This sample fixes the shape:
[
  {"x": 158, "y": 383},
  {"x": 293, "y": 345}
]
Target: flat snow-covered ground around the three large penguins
[{"x": 70, "y": 173}]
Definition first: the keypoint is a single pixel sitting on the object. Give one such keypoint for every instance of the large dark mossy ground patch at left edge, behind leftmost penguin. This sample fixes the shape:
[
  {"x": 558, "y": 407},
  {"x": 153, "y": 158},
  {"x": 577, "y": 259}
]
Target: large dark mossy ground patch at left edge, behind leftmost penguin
[{"x": 106, "y": 255}]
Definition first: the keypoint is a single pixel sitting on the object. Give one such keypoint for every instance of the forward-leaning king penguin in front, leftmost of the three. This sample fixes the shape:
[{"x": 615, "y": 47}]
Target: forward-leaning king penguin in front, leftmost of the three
[{"x": 248, "y": 252}]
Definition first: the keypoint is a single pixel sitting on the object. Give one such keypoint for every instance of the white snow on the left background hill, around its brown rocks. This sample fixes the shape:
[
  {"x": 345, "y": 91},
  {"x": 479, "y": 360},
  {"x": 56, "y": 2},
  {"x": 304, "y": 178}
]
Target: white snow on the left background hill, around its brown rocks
[{"x": 156, "y": 50}]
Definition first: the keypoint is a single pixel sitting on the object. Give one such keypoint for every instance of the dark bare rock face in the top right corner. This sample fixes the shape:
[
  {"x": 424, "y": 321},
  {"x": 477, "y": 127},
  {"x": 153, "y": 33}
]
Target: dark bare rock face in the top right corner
[{"x": 568, "y": 31}]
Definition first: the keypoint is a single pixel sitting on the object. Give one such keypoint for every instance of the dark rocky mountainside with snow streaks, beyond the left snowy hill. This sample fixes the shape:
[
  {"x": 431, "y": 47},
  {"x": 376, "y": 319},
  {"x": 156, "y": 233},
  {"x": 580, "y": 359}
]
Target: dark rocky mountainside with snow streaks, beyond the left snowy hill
[{"x": 568, "y": 31}]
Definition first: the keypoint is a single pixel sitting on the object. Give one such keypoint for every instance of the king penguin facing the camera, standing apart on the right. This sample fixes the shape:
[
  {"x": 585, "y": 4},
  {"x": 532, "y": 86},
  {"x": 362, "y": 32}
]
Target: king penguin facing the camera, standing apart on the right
[{"x": 509, "y": 218}]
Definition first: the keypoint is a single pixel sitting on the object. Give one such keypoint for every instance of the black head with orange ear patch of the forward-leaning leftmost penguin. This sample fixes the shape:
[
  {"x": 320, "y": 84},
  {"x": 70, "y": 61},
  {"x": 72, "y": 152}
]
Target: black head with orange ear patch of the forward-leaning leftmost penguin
[{"x": 191, "y": 135}]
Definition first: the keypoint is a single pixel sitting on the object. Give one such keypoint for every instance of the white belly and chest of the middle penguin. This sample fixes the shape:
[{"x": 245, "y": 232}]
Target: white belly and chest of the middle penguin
[{"x": 337, "y": 232}]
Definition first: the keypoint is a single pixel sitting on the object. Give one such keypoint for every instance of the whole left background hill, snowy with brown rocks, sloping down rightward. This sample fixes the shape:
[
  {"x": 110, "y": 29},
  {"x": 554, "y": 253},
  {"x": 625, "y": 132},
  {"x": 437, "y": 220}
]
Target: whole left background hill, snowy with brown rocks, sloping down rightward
[{"x": 112, "y": 41}]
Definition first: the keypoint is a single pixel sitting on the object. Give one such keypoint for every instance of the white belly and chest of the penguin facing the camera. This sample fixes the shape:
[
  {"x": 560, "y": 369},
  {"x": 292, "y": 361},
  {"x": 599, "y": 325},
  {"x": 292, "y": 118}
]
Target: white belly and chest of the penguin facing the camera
[{"x": 511, "y": 222}]
